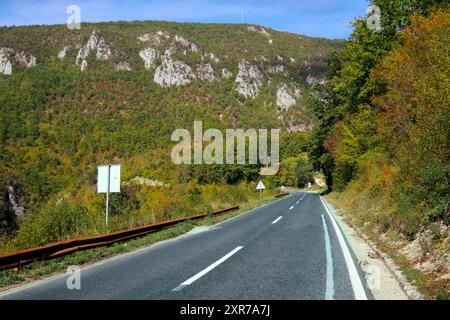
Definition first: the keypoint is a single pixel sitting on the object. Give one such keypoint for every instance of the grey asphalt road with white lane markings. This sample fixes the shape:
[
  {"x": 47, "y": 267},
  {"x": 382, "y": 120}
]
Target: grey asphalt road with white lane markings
[{"x": 288, "y": 249}]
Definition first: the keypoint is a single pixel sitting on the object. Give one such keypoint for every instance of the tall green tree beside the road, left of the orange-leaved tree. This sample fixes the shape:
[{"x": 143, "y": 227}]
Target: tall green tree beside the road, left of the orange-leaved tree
[{"x": 348, "y": 97}]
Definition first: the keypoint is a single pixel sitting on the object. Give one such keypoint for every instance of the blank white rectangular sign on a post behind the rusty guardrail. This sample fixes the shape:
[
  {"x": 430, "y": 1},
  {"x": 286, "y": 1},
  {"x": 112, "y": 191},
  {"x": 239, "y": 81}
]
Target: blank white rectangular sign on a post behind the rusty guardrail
[{"x": 108, "y": 181}]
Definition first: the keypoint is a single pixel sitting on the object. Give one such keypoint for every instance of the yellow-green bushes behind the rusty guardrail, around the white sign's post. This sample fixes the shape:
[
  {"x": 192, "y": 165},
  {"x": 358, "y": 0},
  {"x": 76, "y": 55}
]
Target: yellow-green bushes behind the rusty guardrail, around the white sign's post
[{"x": 134, "y": 206}]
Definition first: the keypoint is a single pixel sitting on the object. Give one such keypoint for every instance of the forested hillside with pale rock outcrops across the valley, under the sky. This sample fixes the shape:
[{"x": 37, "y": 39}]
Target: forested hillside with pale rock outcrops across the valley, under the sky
[{"x": 113, "y": 93}]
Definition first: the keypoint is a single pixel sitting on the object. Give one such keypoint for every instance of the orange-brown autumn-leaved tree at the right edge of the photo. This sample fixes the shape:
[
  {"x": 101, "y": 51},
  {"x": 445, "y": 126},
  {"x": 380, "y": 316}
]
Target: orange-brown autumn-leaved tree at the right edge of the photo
[{"x": 416, "y": 108}]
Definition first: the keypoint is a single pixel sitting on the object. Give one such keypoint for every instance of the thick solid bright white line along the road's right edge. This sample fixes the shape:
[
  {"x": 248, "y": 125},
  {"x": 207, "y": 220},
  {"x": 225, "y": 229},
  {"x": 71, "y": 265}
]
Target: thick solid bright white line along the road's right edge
[{"x": 357, "y": 286}]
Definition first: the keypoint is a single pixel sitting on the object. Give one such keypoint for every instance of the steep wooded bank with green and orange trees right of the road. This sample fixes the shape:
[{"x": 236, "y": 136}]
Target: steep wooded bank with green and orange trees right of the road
[{"x": 383, "y": 135}]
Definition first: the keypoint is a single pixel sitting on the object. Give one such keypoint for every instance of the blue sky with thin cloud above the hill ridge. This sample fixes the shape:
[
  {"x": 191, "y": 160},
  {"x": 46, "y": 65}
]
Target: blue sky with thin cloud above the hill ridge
[{"x": 322, "y": 18}]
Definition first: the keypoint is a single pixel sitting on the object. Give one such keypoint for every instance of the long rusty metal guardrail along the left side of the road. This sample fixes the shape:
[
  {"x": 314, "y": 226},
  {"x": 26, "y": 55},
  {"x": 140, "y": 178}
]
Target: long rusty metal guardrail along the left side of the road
[{"x": 53, "y": 250}]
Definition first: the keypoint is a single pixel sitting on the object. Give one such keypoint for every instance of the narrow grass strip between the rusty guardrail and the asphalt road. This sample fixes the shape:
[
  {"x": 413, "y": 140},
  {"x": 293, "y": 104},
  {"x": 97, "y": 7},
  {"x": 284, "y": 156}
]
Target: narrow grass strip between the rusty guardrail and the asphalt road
[{"x": 42, "y": 269}]
